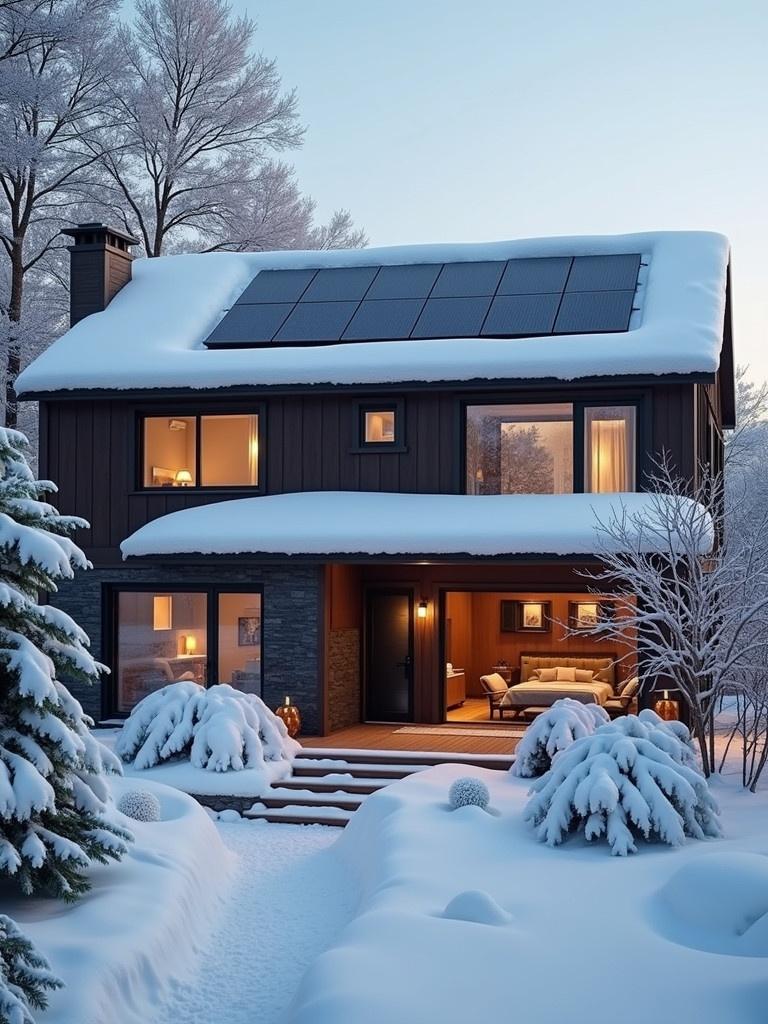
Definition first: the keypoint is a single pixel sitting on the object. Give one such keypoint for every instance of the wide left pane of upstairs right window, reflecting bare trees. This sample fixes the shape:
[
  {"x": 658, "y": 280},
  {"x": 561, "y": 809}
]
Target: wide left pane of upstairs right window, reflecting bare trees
[{"x": 521, "y": 450}]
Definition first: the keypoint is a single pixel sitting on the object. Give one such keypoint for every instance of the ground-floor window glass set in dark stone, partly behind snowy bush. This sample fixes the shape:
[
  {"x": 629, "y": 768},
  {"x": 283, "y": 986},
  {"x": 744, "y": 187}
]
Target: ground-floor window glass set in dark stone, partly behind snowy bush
[{"x": 202, "y": 636}]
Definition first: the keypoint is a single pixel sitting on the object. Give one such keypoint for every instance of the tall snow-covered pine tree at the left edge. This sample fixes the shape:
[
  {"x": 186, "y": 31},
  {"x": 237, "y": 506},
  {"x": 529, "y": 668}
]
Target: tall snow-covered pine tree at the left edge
[{"x": 55, "y": 801}]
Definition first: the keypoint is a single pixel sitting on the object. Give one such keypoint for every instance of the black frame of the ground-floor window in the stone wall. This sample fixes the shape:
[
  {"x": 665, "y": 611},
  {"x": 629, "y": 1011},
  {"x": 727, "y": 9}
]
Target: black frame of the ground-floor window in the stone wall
[{"x": 111, "y": 625}]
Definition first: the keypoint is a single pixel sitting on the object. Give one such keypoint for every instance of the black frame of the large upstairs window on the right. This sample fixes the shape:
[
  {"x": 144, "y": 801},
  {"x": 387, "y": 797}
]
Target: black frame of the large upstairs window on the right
[{"x": 638, "y": 402}]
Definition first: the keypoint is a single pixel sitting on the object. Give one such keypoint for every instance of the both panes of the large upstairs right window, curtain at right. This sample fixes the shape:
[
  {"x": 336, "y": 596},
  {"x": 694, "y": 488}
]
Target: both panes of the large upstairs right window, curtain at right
[{"x": 537, "y": 449}]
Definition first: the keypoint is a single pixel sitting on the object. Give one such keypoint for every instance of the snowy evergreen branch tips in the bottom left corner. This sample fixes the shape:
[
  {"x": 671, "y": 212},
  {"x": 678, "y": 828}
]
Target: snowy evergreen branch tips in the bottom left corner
[{"x": 25, "y": 976}]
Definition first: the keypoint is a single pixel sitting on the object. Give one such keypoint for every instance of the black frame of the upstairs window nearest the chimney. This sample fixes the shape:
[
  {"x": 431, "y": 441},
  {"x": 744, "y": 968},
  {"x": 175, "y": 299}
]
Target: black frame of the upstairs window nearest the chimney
[{"x": 198, "y": 412}]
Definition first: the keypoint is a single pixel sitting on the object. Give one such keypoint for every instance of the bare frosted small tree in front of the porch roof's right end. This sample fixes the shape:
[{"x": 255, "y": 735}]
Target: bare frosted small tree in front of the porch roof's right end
[{"x": 693, "y": 591}]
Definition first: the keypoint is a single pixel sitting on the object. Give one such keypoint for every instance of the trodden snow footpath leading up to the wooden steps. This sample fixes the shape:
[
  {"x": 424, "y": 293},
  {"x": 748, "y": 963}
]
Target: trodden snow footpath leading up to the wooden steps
[{"x": 290, "y": 899}]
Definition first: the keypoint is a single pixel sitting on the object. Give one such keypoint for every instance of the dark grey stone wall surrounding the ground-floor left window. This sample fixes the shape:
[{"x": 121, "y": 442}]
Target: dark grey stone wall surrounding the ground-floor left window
[{"x": 290, "y": 619}]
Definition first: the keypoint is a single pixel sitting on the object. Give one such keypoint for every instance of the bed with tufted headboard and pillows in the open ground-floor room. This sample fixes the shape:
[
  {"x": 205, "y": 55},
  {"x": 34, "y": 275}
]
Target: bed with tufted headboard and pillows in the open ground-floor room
[{"x": 534, "y": 692}]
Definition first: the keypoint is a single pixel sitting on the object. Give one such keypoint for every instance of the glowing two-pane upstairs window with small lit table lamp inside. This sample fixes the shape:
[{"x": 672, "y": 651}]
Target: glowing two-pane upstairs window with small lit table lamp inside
[{"x": 201, "y": 451}]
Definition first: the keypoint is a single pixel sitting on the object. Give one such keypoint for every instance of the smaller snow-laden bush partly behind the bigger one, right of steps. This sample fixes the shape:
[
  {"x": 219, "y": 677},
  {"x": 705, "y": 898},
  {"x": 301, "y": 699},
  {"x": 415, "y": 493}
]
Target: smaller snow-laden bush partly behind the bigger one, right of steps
[{"x": 556, "y": 731}]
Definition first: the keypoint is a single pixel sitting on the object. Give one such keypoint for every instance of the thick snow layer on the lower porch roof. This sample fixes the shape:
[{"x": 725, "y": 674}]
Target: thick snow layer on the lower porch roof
[{"x": 340, "y": 523}]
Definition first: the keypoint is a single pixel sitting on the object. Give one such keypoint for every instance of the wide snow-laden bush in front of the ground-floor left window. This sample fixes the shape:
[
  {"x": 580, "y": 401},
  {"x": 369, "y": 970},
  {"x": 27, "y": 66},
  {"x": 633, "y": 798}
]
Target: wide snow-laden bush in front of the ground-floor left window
[{"x": 219, "y": 729}]
